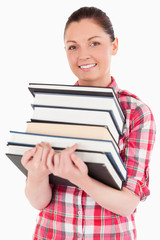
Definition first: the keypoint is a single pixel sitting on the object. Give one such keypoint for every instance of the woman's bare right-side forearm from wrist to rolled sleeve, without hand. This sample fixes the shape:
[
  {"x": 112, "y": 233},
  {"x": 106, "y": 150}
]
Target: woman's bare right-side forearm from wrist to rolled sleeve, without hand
[{"x": 121, "y": 202}]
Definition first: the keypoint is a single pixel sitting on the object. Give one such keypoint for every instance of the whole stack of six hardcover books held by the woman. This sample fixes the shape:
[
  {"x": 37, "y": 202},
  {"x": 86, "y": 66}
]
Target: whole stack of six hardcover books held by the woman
[{"x": 64, "y": 115}]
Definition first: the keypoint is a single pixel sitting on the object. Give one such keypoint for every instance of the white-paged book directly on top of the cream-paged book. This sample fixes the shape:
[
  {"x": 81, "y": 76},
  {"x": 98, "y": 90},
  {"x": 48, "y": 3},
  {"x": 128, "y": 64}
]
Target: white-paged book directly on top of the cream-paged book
[{"x": 76, "y": 116}]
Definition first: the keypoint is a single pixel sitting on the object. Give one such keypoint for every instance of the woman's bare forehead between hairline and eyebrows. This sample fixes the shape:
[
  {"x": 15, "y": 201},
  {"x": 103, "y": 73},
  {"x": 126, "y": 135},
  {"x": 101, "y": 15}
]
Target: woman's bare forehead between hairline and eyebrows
[{"x": 85, "y": 29}]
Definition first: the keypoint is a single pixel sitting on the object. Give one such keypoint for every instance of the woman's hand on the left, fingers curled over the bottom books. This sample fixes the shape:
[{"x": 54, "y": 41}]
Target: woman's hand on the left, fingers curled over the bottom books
[{"x": 36, "y": 160}]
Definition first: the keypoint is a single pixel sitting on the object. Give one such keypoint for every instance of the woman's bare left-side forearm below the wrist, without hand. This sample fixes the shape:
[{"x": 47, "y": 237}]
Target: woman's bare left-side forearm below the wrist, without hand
[{"x": 38, "y": 191}]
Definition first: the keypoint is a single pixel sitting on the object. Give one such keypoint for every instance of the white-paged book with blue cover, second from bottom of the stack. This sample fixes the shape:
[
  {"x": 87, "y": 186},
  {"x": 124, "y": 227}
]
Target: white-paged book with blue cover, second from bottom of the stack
[{"x": 58, "y": 142}]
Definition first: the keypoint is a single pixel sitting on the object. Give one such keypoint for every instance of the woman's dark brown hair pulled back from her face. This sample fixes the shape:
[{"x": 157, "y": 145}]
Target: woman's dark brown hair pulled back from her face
[{"x": 92, "y": 13}]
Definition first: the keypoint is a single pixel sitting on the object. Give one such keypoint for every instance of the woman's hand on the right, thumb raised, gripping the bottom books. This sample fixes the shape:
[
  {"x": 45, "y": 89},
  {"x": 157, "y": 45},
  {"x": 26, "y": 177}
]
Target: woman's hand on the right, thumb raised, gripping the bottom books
[{"x": 68, "y": 165}]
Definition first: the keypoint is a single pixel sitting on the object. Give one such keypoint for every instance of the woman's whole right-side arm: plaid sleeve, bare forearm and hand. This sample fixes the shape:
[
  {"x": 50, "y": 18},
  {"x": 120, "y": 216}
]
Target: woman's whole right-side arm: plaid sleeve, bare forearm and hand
[{"x": 136, "y": 149}]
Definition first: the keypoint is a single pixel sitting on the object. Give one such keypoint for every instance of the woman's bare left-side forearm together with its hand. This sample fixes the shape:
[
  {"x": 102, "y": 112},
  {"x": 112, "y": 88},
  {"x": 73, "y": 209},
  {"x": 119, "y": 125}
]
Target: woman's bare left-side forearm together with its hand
[{"x": 38, "y": 190}]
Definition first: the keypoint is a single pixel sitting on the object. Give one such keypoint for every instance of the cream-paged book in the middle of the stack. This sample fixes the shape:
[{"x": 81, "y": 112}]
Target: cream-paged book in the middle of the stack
[{"x": 71, "y": 130}]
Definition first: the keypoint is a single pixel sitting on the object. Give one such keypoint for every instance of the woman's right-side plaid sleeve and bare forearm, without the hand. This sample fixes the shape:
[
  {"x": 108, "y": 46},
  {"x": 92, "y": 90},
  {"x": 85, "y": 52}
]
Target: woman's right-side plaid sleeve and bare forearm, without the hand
[{"x": 136, "y": 146}]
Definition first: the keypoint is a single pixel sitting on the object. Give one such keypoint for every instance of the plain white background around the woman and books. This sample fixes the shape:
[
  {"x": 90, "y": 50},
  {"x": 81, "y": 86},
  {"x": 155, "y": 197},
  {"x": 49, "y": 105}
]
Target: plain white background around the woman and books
[{"x": 32, "y": 50}]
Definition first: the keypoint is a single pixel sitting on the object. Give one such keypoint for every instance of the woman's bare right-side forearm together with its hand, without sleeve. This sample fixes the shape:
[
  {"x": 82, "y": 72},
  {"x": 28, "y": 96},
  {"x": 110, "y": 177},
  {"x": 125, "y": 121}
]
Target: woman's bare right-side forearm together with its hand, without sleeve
[{"x": 68, "y": 165}]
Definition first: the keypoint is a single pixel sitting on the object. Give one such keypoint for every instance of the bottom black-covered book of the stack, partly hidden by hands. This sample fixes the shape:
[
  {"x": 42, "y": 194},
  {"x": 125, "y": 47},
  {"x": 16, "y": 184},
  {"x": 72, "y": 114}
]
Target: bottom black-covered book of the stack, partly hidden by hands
[{"x": 99, "y": 167}]
